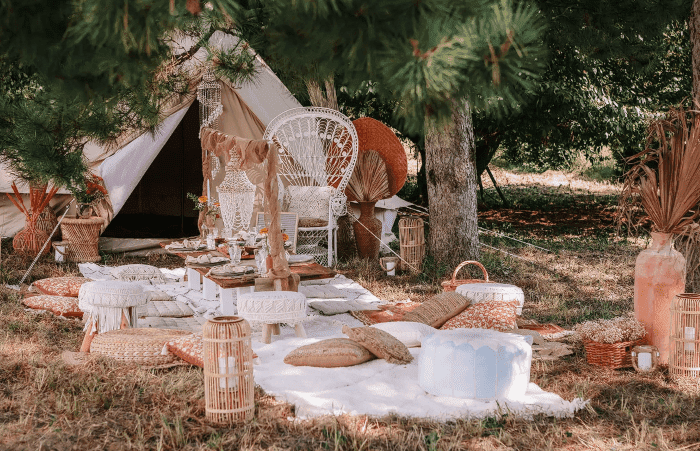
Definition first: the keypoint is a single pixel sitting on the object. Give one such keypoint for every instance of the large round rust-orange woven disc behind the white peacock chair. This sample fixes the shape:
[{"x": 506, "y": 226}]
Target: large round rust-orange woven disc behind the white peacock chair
[{"x": 373, "y": 135}]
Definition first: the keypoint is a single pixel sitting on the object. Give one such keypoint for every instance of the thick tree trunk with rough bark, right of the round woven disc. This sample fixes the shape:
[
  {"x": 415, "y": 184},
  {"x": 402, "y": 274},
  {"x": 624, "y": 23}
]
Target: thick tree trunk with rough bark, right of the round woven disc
[{"x": 452, "y": 187}]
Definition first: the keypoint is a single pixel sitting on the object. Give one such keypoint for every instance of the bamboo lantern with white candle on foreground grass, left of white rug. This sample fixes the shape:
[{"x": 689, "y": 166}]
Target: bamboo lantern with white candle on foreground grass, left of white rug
[{"x": 228, "y": 370}]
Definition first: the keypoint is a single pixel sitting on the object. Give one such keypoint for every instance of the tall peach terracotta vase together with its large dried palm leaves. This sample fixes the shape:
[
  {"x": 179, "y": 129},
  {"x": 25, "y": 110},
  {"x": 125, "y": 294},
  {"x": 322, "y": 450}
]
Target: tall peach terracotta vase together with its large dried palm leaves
[{"x": 663, "y": 181}]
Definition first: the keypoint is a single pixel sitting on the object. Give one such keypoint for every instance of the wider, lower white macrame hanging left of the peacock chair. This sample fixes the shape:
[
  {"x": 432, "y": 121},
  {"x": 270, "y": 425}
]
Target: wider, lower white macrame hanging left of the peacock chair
[{"x": 236, "y": 196}]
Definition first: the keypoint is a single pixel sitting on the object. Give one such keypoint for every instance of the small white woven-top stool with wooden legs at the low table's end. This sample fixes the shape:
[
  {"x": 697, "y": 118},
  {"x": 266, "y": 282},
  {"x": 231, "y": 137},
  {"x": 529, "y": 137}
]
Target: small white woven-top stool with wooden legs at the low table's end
[{"x": 274, "y": 308}]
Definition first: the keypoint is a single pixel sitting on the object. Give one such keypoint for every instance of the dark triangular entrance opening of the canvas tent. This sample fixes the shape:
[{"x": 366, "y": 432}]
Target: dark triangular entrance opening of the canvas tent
[{"x": 158, "y": 207}]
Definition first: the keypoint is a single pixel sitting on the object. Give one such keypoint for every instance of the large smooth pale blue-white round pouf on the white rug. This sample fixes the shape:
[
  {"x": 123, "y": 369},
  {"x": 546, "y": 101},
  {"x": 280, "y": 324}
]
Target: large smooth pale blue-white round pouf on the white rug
[{"x": 475, "y": 363}]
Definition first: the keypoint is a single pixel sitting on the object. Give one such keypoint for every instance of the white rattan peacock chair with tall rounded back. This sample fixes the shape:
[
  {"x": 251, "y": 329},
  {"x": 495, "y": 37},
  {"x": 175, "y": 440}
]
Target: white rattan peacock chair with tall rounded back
[{"x": 317, "y": 154}]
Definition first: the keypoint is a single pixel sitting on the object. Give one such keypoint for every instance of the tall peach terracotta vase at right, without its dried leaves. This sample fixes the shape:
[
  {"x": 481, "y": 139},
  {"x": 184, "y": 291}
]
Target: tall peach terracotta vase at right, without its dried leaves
[{"x": 659, "y": 275}]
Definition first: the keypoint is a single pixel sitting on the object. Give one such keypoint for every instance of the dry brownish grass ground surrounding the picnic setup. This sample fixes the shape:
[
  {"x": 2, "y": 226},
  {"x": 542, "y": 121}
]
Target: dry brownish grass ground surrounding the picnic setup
[{"x": 580, "y": 270}]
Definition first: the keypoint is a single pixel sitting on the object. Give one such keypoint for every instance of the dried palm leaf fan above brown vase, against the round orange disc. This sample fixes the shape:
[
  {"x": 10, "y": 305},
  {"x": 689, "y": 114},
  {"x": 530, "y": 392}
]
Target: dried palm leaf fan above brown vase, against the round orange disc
[{"x": 369, "y": 181}]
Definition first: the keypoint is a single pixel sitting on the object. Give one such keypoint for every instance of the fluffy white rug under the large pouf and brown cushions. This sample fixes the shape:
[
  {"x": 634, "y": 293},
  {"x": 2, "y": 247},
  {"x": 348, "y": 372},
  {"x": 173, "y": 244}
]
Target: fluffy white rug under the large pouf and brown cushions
[{"x": 379, "y": 388}]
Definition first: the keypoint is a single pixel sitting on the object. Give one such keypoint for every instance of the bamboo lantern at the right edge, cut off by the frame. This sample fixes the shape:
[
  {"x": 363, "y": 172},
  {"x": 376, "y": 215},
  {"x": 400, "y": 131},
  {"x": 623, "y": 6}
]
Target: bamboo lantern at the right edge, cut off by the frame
[{"x": 684, "y": 343}]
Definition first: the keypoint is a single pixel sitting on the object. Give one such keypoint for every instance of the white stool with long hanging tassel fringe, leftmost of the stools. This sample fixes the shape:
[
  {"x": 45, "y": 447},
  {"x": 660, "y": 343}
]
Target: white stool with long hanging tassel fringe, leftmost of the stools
[{"x": 106, "y": 300}]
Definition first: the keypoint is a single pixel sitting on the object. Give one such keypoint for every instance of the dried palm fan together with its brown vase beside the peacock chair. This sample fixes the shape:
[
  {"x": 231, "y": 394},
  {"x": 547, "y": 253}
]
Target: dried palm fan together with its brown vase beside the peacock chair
[{"x": 368, "y": 184}]
